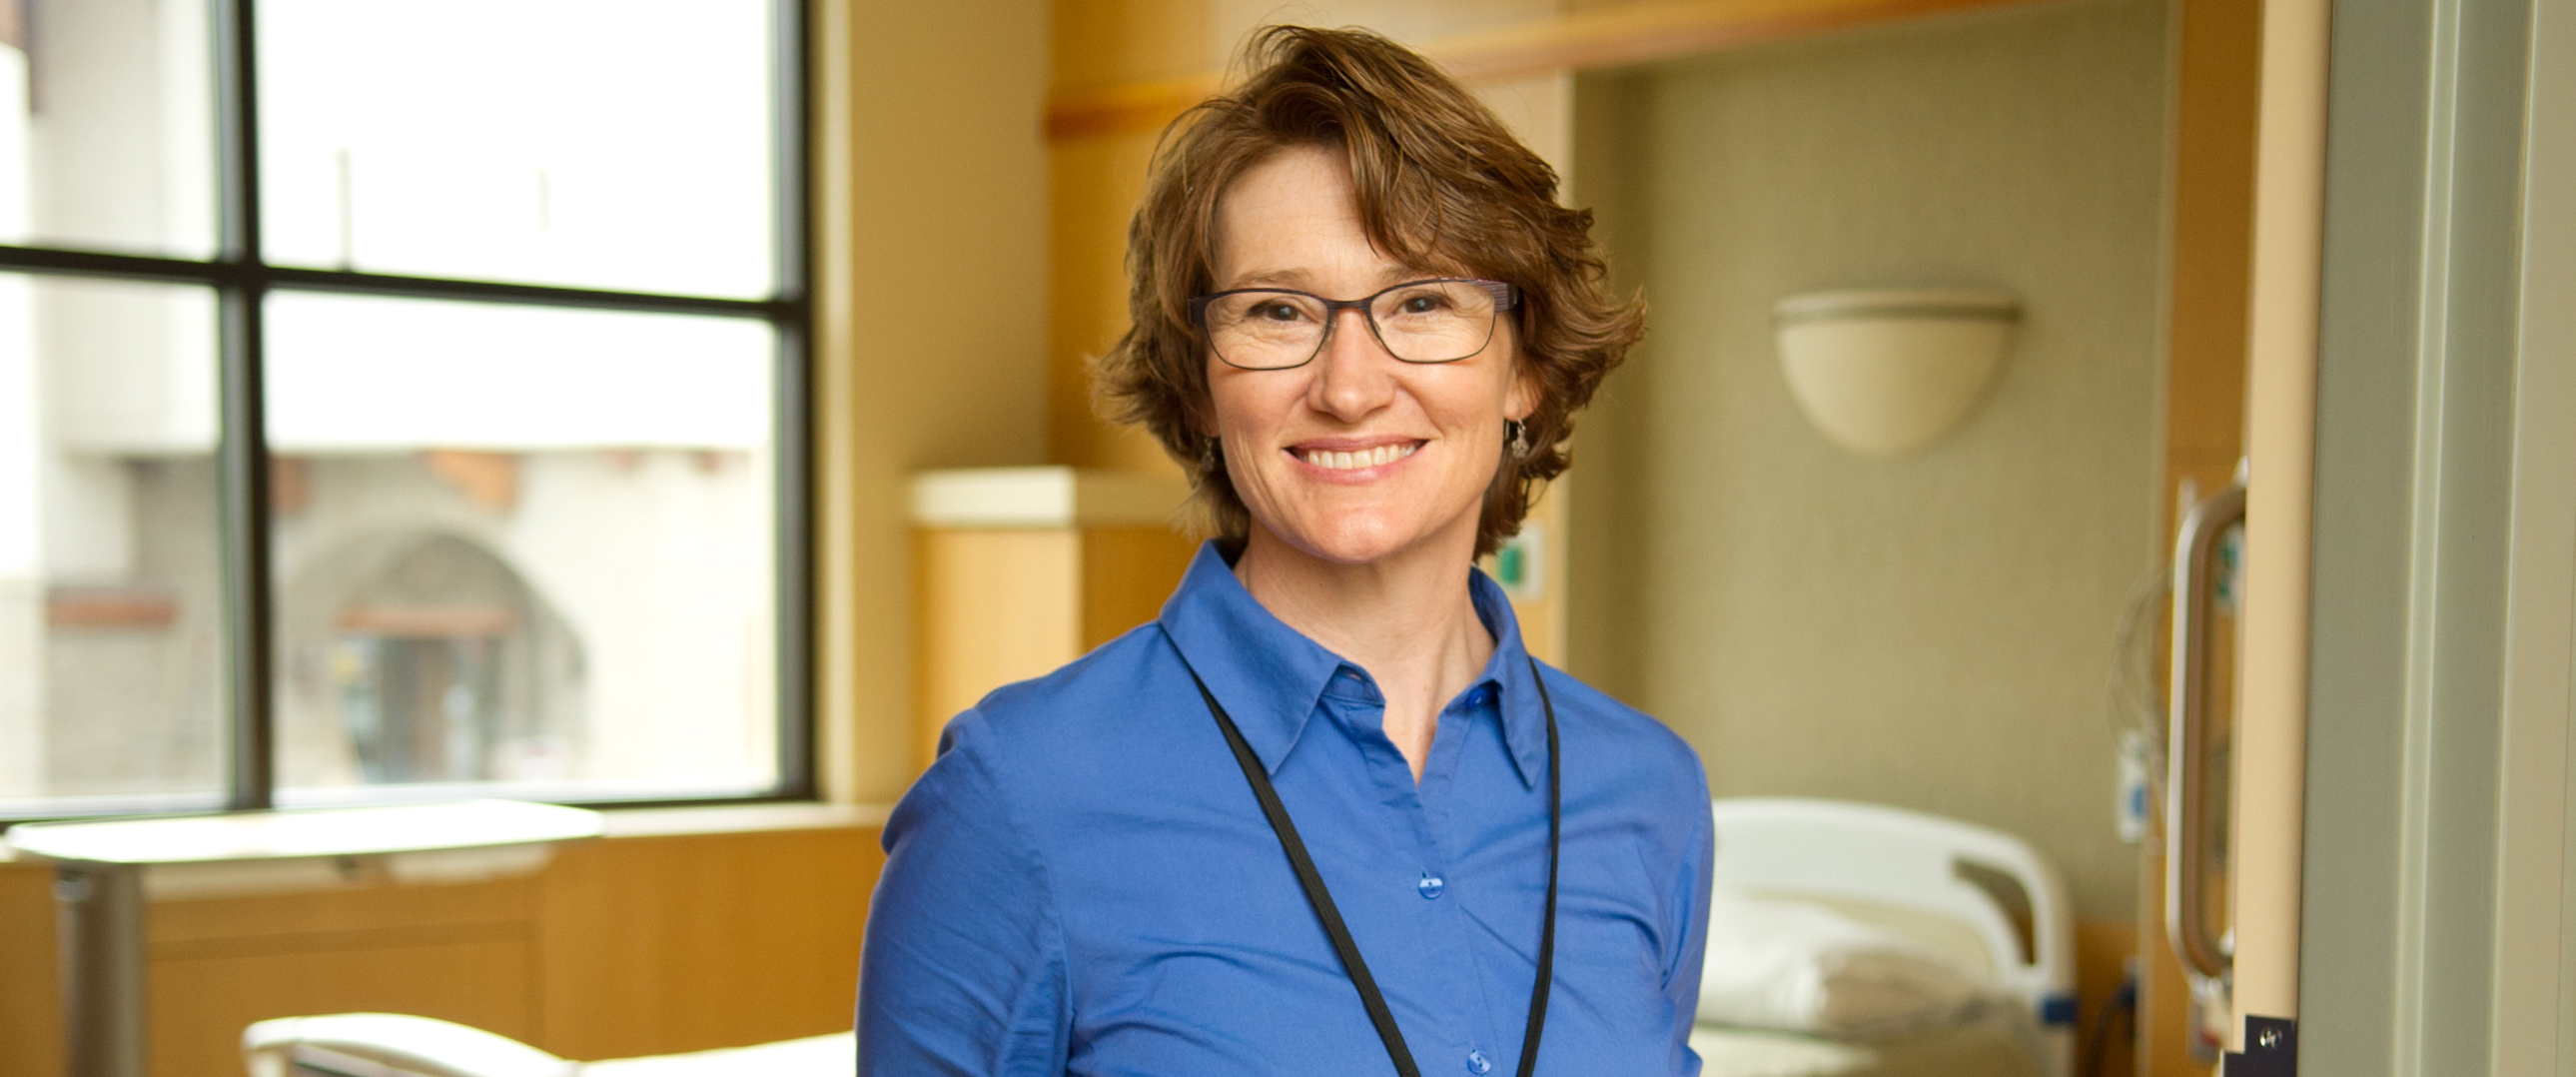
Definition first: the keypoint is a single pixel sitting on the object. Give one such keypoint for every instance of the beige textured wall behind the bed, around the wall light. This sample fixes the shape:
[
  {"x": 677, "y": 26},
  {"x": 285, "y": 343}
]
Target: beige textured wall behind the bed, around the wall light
[{"x": 1931, "y": 633}]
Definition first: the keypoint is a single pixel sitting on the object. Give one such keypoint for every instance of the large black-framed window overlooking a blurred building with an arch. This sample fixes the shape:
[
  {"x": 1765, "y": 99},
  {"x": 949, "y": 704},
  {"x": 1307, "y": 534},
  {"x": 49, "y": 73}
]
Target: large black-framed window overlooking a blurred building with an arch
[{"x": 401, "y": 403}]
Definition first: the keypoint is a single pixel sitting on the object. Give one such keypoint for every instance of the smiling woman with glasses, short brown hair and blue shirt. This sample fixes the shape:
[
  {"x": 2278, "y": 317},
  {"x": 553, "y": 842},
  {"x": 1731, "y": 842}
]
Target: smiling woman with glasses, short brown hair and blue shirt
[{"x": 1325, "y": 815}]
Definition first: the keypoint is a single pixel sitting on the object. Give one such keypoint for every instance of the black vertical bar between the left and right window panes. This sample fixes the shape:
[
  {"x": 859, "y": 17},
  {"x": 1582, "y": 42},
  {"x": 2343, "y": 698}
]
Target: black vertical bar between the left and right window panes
[{"x": 243, "y": 455}]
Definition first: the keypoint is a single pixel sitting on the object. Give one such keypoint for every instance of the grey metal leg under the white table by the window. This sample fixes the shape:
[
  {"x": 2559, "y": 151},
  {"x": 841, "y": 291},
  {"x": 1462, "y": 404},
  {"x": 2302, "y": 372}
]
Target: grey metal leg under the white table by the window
[{"x": 102, "y": 929}]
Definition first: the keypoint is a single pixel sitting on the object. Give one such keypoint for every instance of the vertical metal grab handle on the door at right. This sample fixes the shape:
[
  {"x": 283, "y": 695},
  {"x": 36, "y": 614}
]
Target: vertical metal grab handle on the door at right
[{"x": 2186, "y": 906}]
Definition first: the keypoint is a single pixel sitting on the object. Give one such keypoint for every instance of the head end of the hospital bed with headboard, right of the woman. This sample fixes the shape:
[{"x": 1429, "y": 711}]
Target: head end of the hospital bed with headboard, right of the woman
[{"x": 1871, "y": 942}]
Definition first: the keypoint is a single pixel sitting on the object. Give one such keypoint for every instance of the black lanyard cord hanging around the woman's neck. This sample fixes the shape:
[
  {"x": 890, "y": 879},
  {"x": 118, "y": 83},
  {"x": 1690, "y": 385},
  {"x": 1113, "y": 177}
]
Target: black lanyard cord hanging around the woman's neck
[{"x": 1333, "y": 916}]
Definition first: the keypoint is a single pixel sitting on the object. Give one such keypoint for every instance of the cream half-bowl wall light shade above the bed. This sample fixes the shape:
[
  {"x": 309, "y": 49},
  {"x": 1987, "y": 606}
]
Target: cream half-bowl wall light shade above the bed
[{"x": 1887, "y": 372}]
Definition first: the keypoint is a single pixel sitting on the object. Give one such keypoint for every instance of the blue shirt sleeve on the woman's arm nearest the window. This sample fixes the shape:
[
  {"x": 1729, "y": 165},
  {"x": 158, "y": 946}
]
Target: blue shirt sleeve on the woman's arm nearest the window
[{"x": 962, "y": 970}]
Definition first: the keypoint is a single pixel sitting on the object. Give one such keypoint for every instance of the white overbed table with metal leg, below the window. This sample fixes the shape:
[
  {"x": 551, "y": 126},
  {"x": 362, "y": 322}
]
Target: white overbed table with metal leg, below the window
[{"x": 99, "y": 882}]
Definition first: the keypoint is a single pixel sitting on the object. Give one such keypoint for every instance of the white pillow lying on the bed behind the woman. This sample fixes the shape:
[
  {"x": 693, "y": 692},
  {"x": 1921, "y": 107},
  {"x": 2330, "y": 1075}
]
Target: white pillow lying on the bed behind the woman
[{"x": 1810, "y": 970}]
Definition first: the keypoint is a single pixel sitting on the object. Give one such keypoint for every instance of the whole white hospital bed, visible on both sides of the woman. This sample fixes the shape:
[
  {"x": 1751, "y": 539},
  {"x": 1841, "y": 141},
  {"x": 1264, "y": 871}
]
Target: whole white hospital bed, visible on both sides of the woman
[{"x": 1846, "y": 942}]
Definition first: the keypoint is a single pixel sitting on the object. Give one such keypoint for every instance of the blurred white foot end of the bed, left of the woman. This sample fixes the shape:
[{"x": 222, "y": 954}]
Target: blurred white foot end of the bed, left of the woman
[{"x": 390, "y": 1045}]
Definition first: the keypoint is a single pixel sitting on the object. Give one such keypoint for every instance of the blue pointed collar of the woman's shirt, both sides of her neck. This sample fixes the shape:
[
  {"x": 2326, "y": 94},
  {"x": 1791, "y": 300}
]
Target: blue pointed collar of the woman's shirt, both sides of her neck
[{"x": 1269, "y": 676}]
